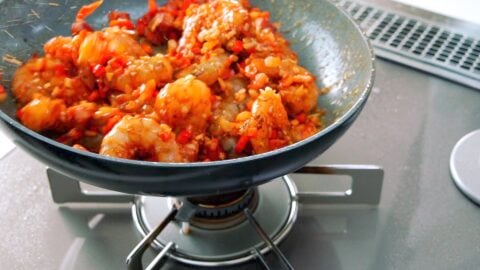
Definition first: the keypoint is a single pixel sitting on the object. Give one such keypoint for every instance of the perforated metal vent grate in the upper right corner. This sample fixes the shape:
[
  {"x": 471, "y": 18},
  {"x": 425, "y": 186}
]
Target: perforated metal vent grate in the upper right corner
[{"x": 419, "y": 43}]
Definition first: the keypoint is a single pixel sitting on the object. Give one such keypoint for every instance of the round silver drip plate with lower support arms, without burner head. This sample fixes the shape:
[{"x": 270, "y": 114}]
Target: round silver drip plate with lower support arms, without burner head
[{"x": 276, "y": 211}]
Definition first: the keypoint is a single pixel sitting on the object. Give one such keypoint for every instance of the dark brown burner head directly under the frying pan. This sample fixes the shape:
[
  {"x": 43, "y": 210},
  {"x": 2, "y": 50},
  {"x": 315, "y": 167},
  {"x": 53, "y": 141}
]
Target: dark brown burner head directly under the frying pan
[{"x": 220, "y": 211}]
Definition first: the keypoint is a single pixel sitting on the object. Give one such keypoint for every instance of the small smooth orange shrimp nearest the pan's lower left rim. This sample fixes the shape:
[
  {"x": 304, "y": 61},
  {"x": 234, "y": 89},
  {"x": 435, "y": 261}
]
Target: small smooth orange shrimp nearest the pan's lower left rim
[{"x": 42, "y": 113}]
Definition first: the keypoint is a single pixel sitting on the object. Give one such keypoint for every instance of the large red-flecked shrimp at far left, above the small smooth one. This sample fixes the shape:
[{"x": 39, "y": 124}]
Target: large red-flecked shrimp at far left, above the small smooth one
[{"x": 49, "y": 77}]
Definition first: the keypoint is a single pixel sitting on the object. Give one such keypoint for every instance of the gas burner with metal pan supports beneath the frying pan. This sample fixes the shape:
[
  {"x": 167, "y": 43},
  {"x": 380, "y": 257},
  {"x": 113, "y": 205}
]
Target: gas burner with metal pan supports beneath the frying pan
[{"x": 225, "y": 229}]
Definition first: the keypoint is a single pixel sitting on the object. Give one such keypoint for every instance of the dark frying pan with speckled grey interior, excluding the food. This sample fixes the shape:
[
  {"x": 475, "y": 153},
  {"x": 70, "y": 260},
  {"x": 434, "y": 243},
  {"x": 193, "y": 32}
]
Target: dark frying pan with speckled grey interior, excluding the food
[{"x": 326, "y": 39}]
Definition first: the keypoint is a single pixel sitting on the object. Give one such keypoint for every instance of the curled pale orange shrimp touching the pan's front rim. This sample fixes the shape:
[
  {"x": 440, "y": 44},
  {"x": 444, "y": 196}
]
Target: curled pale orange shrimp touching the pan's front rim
[{"x": 136, "y": 137}]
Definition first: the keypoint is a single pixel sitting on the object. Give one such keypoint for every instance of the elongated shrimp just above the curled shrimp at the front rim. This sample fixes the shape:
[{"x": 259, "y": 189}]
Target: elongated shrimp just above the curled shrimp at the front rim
[{"x": 139, "y": 72}]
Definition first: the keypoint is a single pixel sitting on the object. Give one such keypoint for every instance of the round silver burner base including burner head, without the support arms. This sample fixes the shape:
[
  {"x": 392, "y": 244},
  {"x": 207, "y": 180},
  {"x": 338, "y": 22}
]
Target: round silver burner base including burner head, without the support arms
[{"x": 219, "y": 223}]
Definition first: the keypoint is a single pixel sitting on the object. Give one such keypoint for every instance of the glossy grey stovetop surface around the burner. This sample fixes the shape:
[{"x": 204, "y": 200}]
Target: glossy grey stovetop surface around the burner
[{"x": 409, "y": 127}]
